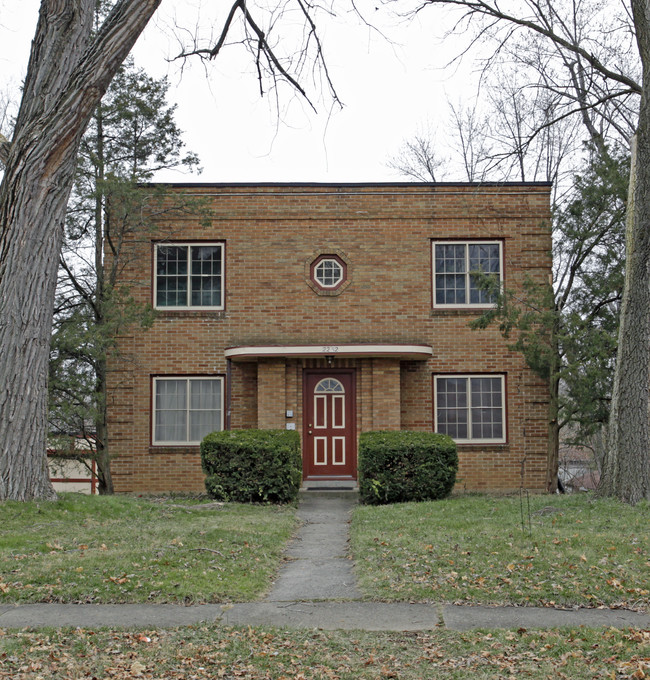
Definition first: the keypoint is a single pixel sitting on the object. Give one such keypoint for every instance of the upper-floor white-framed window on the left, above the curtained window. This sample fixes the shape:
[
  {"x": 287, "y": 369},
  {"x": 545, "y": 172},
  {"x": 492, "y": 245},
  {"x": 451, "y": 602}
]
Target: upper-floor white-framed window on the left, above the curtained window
[{"x": 188, "y": 275}]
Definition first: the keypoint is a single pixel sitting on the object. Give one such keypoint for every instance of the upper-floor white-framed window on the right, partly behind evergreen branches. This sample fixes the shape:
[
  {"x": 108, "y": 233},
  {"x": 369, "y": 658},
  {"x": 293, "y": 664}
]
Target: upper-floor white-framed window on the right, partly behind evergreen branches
[{"x": 457, "y": 268}]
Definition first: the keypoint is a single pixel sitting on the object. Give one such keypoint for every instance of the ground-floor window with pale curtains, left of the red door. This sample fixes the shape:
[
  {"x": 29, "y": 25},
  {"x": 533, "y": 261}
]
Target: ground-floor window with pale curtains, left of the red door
[{"x": 186, "y": 409}]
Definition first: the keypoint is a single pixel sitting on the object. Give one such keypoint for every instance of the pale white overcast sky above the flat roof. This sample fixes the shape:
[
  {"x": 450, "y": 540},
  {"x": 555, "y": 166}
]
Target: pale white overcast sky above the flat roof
[{"x": 392, "y": 88}]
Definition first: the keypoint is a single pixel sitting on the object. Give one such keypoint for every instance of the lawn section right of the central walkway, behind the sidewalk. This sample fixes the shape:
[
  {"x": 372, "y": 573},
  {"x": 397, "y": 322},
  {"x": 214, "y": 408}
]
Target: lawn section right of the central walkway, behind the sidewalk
[{"x": 569, "y": 550}]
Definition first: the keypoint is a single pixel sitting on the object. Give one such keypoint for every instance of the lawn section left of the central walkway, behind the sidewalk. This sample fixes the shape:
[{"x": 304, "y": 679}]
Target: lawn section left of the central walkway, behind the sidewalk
[{"x": 125, "y": 549}]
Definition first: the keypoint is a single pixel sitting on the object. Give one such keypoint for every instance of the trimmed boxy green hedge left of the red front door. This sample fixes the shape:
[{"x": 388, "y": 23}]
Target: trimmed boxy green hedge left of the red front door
[{"x": 252, "y": 466}]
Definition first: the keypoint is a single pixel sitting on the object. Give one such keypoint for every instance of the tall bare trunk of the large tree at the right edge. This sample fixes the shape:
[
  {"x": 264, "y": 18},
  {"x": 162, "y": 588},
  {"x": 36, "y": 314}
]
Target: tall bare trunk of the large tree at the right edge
[{"x": 626, "y": 469}]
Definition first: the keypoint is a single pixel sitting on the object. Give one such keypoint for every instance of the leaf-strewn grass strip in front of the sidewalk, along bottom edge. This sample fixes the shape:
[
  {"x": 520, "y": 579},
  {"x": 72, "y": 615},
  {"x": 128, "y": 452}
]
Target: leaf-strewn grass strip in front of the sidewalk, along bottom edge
[{"x": 208, "y": 652}]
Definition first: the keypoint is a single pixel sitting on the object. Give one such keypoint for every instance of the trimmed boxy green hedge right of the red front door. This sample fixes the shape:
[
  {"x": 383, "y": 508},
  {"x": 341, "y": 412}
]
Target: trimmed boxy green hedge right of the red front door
[{"x": 401, "y": 466}]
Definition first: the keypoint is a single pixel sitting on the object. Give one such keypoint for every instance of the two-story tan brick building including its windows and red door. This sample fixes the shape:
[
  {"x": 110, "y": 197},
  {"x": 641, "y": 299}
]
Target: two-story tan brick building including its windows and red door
[{"x": 332, "y": 309}]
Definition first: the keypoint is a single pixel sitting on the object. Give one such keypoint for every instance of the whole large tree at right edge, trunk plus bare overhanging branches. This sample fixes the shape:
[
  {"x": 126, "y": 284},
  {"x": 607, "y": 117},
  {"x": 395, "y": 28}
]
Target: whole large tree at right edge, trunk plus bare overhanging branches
[{"x": 596, "y": 57}]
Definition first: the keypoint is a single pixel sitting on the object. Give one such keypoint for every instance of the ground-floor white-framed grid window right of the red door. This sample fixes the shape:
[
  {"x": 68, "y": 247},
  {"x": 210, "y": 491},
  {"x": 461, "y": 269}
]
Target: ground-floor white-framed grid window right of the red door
[{"x": 470, "y": 408}]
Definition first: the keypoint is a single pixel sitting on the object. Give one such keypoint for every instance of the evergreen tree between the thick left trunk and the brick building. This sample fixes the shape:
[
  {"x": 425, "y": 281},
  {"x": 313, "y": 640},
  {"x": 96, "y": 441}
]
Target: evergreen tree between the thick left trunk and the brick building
[{"x": 132, "y": 134}]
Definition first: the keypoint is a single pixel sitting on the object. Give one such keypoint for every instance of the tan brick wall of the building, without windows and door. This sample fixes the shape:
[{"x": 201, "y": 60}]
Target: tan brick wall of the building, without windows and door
[{"x": 271, "y": 235}]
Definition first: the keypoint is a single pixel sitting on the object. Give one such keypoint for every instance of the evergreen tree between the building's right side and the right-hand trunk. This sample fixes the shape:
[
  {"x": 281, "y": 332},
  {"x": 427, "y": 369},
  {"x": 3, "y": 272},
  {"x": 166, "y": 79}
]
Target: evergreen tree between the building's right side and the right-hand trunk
[{"x": 567, "y": 329}]
